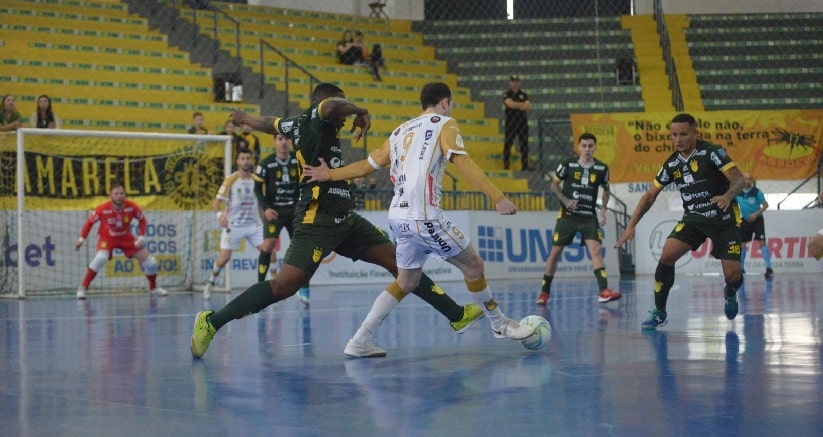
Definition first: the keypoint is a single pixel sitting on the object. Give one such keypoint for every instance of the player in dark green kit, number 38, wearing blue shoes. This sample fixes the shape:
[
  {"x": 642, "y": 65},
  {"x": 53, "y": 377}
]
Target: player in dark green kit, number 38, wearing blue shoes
[{"x": 708, "y": 180}]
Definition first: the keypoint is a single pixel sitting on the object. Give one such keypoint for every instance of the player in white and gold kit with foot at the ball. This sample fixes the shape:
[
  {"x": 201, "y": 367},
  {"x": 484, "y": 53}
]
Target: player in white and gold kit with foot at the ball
[{"x": 418, "y": 151}]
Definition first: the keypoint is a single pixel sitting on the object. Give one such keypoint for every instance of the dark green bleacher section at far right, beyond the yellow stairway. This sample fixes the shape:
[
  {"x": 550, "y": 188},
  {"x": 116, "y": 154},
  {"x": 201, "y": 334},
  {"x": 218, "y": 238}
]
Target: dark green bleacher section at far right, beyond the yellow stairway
[{"x": 758, "y": 61}]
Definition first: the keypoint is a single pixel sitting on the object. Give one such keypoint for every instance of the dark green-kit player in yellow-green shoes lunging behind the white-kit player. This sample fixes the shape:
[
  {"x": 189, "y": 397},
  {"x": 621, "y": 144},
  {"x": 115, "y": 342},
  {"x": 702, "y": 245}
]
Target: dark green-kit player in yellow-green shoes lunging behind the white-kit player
[{"x": 324, "y": 222}]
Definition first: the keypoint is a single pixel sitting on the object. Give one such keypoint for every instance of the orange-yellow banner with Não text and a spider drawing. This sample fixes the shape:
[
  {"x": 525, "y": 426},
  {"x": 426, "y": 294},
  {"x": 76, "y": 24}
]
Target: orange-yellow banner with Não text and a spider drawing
[{"x": 781, "y": 145}]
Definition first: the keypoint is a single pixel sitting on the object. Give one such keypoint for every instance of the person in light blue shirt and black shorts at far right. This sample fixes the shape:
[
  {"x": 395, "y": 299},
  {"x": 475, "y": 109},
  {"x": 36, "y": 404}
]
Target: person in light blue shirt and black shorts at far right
[{"x": 752, "y": 203}]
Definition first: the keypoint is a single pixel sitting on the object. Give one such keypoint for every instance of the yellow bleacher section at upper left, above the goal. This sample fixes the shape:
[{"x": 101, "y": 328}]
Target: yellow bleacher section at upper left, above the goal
[{"x": 102, "y": 67}]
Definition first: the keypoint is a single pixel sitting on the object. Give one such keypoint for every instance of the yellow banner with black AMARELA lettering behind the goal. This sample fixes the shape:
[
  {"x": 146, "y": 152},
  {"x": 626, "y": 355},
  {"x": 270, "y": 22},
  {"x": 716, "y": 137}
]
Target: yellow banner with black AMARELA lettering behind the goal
[{"x": 76, "y": 173}]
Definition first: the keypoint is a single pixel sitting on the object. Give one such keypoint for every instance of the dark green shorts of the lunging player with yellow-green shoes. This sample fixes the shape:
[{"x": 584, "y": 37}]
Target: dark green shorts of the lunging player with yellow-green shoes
[{"x": 310, "y": 244}]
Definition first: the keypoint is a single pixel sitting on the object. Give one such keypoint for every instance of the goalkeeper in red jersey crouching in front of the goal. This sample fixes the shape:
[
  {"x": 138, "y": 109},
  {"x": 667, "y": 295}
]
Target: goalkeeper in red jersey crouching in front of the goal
[{"x": 115, "y": 218}]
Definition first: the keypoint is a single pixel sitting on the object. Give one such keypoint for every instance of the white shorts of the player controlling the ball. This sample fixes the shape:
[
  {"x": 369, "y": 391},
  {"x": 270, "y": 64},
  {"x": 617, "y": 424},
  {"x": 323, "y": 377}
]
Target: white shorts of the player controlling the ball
[{"x": 417, "y": 239}]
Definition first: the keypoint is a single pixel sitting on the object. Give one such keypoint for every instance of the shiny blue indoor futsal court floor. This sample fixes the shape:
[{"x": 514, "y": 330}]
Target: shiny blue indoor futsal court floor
[{"x": 121, "y": 365}]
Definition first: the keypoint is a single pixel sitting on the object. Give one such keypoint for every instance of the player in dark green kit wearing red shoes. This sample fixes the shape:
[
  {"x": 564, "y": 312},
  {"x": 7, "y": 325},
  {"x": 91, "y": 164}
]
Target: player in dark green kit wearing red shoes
[{"x": 582, "y": 178}]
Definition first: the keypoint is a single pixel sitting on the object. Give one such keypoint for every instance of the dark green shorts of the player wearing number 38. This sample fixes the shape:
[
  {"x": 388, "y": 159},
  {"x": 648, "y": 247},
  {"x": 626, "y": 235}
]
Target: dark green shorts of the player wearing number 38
[{"x": 725, "y": 237}]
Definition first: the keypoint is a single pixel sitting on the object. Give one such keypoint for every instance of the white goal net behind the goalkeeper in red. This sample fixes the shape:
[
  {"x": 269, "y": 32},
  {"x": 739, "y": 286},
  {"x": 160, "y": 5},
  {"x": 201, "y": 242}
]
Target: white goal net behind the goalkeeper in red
[{"x": 50, "y": 180}]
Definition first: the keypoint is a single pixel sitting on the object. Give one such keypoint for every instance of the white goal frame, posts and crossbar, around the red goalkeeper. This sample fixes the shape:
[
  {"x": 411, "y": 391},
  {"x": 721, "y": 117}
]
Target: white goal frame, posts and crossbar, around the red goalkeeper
[{"x": 20, "y": 176}]
